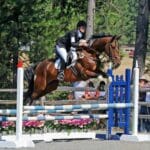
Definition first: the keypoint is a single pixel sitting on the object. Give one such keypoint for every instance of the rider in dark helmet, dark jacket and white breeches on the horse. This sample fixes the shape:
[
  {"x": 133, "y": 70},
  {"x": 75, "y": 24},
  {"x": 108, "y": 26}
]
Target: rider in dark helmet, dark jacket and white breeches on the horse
[{"x": 69, "y": 42}]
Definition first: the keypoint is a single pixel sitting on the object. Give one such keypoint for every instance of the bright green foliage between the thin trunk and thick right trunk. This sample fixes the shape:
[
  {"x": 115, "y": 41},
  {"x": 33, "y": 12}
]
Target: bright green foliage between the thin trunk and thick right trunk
[{"x": 117, "y": 17}]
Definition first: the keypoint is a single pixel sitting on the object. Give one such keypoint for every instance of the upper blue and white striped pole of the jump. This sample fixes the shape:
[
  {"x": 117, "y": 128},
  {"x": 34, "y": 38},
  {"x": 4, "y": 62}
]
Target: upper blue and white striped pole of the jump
[{"x": 65, "y": 108}]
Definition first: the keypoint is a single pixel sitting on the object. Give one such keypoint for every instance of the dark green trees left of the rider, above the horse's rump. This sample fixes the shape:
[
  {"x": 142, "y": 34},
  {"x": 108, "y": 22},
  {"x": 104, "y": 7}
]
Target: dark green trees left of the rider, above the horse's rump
[{"x": 35, "y": 24}]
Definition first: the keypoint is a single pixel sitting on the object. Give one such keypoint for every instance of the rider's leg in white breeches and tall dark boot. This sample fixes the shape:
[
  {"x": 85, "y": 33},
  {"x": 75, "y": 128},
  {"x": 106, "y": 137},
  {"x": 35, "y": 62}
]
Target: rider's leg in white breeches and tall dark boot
[{"x": 62, "y": 53}]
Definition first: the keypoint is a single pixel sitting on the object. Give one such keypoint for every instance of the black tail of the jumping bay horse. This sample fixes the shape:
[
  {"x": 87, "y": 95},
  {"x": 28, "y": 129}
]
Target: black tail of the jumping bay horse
[{"x": 29, "y": 77}]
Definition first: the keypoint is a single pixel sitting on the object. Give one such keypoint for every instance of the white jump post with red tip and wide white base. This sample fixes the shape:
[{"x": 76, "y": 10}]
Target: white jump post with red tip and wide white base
[{"x": 19, "y": 140}]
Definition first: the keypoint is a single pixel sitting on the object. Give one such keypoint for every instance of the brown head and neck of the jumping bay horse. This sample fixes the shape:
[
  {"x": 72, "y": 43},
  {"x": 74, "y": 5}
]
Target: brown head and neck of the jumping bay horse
[{"x": 109, "y": 45}]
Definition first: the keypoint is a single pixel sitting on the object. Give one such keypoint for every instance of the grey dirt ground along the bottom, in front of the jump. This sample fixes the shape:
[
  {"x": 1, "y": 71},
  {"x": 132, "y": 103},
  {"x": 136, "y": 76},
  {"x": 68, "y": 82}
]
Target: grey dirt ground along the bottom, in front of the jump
[{"x": 88, "y": 145}]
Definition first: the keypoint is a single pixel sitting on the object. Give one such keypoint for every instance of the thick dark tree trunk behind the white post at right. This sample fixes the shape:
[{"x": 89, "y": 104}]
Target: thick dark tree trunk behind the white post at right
[{"x": 142, "y": 34}]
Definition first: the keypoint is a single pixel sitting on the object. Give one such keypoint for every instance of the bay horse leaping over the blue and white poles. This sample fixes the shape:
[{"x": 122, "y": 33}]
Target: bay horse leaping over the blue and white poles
[{"x": 43, "y": 77}]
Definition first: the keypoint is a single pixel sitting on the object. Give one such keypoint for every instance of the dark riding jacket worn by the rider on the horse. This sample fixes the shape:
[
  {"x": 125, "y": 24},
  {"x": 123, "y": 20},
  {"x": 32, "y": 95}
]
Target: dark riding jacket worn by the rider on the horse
[{"x": 70, "y": 39}]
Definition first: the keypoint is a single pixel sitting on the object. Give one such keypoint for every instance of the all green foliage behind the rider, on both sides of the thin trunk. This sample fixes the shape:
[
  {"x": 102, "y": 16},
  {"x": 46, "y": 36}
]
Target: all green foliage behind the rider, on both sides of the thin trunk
[{"x": 36, "y": 24}]
